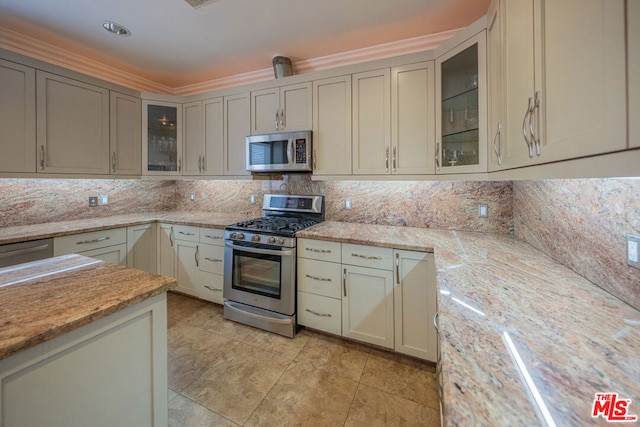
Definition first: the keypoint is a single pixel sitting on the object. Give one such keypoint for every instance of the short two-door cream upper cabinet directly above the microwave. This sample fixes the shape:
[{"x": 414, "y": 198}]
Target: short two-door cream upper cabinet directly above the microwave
[{"x": 280, "y": 109}]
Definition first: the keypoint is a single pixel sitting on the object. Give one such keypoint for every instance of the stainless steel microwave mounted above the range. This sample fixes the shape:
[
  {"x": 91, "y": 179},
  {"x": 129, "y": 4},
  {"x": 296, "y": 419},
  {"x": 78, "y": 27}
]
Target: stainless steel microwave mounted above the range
[{"x": 279, "y": 152}]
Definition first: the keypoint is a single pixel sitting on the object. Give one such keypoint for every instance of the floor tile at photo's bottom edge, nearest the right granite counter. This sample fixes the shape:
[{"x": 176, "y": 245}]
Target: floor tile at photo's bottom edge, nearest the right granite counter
[{"x": 373, "y": 408}]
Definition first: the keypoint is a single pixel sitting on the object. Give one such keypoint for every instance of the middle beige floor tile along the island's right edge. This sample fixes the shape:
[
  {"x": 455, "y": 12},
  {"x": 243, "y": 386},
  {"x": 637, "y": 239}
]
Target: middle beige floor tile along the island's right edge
[{"x": 191, "y": 352}]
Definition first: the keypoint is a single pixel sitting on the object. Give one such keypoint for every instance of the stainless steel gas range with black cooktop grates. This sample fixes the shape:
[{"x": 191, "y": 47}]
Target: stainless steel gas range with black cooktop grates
[{"x": 260, "y": 263}]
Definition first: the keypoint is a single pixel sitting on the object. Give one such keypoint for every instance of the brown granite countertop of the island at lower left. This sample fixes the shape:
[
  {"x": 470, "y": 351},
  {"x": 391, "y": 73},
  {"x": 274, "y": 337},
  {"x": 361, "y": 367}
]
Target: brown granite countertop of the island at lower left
[{"x": 45, "y": 299}]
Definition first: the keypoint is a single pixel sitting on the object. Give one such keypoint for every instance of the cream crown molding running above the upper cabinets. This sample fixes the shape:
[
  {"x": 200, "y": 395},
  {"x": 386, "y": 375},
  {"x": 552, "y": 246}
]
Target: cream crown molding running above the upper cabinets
[{"x": 40, "y": 50}]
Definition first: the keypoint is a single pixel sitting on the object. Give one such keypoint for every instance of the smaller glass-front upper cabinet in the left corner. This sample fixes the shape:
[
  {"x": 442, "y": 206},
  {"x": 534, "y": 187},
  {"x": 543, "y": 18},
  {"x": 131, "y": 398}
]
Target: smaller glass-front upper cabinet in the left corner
[{"x": 162, "y": 138}]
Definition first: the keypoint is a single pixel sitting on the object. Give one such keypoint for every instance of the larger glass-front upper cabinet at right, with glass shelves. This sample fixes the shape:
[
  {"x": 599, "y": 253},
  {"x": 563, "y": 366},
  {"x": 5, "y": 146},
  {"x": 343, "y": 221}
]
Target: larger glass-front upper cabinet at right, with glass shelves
[{"x": 461, "y": 112}]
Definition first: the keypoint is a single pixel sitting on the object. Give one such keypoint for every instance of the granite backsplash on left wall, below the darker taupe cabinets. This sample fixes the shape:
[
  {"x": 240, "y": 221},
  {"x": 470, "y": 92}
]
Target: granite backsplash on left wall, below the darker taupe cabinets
[{"x": 37, "y": 201}]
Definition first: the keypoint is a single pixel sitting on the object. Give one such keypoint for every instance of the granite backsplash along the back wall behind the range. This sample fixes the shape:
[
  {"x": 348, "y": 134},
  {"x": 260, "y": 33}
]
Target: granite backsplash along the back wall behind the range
[{"x": 450, "y": 205}]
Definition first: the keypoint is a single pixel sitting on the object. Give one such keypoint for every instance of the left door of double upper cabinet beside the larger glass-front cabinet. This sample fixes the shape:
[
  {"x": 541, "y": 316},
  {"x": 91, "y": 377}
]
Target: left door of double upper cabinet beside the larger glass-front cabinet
[{"x": 372, "y": 122}]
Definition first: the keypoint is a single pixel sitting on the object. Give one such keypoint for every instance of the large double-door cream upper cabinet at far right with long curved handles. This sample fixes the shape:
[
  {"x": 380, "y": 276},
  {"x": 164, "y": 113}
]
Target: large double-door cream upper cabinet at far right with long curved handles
[{"x": 565, "y": 77}]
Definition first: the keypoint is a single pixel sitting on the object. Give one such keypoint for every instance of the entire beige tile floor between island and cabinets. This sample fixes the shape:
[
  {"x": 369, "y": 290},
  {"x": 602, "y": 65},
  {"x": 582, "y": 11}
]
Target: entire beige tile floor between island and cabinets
[{"x": 222, "y": 373}]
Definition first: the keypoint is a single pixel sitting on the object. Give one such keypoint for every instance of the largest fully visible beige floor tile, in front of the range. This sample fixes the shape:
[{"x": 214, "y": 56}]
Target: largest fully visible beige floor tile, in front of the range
[{"x": 235, "y": 386}]
